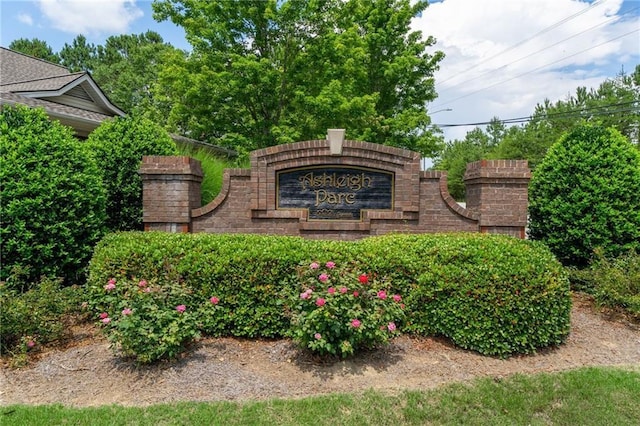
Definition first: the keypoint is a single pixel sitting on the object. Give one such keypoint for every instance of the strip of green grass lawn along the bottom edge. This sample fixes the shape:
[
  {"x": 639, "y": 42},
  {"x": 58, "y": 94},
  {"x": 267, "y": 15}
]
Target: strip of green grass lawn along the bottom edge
[{"x": 587, "y": 396}]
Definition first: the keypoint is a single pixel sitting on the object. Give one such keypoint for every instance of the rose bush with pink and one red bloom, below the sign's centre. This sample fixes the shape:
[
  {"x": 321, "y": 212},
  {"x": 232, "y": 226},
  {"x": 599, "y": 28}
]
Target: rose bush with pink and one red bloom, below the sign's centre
[{"x": 359, "y": 315}]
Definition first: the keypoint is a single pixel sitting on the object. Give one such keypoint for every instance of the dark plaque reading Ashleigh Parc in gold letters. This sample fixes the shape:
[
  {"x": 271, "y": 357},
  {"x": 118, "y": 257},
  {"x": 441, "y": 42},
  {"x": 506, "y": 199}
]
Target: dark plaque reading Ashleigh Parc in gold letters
[{"x": 335, "y": 192}]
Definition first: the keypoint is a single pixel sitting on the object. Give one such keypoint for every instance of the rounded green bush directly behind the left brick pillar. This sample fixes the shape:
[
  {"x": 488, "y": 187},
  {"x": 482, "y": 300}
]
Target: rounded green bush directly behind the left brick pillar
[{"x": 118, "y": 146}]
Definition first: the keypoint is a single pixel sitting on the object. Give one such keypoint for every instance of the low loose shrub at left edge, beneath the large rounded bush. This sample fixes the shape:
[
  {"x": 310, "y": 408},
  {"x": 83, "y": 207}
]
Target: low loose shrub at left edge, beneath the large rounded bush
[{"x": 40, "y": 315}]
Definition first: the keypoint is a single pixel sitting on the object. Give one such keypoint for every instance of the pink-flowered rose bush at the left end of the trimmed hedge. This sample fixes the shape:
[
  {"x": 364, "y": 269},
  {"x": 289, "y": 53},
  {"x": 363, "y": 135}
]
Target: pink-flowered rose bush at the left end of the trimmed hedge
[{"x": 150, "y": 321}]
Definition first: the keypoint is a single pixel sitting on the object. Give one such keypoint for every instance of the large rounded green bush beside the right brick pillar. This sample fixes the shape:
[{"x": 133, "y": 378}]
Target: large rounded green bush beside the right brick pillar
[{"x": 584, "y": 195}]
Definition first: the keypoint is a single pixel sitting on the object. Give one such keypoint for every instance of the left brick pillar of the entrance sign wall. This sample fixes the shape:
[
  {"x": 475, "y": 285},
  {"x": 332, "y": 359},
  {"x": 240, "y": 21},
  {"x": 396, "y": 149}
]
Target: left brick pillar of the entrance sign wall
[{"x": 170, "y": 190}]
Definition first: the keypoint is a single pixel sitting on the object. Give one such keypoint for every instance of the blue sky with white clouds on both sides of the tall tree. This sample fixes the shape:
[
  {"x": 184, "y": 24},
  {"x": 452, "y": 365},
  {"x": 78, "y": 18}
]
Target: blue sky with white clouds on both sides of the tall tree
[{"x": 502, "y": 56}]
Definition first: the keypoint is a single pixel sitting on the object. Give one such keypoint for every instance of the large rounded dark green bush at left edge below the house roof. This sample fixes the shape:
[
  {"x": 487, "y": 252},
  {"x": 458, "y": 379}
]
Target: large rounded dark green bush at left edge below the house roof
[{"x": 52, "y": 198}]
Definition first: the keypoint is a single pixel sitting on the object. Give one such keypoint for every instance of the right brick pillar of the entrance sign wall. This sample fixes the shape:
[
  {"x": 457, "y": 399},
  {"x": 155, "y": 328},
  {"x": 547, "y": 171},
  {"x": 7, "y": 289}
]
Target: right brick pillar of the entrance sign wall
[{"x": 497, "y": 191}]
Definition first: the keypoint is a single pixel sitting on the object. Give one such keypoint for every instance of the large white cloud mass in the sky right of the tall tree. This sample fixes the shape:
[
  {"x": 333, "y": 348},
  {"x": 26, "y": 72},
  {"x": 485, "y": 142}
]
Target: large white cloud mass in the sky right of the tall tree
[{"x": 504, "y": 56}]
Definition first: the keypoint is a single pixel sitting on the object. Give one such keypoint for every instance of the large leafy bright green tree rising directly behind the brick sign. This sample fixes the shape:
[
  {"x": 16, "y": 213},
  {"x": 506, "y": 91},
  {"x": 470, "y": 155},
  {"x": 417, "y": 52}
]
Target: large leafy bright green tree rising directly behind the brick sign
[{"x": 269, "y": 72}]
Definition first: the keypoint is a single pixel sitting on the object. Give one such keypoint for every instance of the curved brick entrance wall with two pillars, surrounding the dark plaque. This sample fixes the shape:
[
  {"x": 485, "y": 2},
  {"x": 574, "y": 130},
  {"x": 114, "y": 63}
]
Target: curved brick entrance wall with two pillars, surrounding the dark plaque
[{"x": 248, "y": 201}]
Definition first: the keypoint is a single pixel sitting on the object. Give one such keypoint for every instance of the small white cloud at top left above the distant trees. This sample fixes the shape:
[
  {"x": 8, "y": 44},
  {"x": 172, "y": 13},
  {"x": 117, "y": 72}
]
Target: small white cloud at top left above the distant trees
[{"x": 91, "y": 17}]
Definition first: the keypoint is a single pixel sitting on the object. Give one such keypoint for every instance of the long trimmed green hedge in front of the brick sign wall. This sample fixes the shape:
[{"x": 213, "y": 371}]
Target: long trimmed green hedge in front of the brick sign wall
[{"x": 493, "y": 294}]
